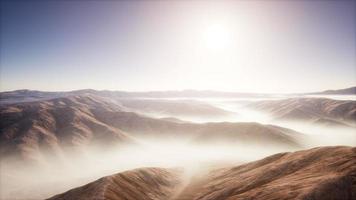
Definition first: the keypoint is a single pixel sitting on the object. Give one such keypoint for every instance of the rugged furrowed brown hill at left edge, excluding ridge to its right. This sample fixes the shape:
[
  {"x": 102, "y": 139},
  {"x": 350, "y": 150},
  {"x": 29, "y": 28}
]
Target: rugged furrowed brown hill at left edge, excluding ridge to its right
[{"x": 29, "y": 129}]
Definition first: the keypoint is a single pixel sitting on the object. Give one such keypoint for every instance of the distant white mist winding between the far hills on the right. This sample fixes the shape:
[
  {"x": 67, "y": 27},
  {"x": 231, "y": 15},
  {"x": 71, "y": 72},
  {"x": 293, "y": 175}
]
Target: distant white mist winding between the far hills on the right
[{"x": 318, "y": 135}]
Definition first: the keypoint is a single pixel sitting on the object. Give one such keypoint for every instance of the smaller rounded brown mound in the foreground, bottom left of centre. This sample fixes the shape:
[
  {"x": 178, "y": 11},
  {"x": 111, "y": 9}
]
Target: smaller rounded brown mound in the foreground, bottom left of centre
[{"x": 139, "y": 184}]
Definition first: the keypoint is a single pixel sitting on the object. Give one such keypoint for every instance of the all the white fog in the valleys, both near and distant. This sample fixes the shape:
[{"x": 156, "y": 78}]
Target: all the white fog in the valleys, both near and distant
[{"x": 43, "y": 180}]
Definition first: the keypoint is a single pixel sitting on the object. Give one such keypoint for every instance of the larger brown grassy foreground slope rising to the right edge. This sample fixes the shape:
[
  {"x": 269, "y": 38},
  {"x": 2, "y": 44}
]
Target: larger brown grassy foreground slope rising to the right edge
[{"x": 327, "y": 173}]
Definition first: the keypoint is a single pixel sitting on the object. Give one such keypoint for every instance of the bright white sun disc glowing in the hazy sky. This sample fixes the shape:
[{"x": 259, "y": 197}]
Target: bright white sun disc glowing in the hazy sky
[{"x": 217, "y": 36}]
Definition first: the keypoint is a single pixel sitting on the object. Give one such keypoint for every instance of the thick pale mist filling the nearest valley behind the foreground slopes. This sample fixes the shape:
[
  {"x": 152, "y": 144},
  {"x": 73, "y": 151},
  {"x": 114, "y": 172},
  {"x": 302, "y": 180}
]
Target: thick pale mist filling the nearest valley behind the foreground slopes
[{"x": 45, "y": 179}]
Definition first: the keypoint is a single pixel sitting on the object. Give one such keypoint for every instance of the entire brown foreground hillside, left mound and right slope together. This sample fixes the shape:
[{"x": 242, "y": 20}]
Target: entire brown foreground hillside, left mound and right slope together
[{"x": 319, "y": 173}]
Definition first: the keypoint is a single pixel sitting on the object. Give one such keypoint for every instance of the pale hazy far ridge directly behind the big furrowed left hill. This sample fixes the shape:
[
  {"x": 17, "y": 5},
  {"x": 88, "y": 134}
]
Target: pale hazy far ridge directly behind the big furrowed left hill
[{"x": 156, "y": 107}]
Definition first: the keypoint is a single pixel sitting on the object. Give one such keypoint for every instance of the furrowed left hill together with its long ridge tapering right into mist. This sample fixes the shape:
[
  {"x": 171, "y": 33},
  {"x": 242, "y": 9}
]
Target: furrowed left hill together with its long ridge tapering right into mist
[{"x": 71, "y": 124}]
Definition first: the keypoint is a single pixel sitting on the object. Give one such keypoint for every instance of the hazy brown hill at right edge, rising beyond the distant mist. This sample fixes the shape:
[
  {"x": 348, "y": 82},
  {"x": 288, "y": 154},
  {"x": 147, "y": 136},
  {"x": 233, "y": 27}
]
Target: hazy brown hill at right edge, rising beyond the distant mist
[{"x": 309, "y": 109}]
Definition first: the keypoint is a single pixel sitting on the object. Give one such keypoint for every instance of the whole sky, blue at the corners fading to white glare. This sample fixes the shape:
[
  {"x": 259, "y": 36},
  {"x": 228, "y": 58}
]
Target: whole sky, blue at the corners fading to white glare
[{"x": 242, "y": 46}]
